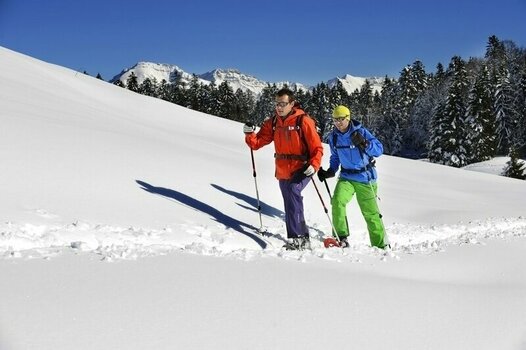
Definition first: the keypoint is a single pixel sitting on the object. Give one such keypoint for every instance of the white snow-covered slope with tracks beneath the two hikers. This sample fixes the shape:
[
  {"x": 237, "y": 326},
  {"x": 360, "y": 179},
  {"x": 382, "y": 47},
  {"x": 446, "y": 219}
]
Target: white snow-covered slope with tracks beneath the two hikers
[{"x": 129, "y": 223}]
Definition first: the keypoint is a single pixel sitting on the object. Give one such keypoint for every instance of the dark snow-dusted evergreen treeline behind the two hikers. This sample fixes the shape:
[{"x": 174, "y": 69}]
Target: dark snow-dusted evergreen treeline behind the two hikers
[{"x": 471, "y": 111}]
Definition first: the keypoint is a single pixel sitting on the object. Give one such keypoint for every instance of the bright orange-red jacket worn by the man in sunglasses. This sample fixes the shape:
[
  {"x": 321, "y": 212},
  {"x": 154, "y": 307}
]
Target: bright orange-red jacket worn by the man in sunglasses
[{"x": 291, "y": 151}]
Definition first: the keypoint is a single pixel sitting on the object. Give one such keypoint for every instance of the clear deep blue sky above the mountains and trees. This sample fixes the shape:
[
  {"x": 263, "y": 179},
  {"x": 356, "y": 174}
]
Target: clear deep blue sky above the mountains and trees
[{"x": 305, "y": 41}]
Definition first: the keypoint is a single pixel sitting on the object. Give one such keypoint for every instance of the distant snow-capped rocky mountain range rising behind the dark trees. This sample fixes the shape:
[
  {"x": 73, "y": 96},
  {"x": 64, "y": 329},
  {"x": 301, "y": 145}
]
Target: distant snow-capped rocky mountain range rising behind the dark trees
[{"x": 235, "y": 78}]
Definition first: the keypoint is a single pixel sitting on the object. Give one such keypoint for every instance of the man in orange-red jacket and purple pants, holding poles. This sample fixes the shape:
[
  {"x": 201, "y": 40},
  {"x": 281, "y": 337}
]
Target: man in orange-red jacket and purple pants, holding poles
[{"x": 298, "y": 156}]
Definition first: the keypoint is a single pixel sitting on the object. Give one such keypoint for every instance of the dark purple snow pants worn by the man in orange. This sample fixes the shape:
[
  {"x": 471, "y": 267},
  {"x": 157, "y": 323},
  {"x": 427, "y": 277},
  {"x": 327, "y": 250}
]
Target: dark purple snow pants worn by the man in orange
[{"x": 293, "y": 200}]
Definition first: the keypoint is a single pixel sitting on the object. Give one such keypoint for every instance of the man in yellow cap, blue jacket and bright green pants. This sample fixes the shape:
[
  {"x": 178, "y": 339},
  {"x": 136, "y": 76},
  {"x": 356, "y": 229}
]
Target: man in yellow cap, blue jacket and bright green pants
[{"x": 353, "y": 148}]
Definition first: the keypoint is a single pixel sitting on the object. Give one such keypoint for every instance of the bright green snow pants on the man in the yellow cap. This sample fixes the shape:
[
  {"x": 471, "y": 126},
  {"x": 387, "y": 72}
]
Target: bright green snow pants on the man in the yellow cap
[{"x": 366, "y": 196}]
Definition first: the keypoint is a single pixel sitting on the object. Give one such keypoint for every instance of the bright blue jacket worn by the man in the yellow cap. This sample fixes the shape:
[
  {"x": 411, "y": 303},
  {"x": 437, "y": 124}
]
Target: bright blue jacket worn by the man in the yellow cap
[{"x": 355, "y": 164}]
